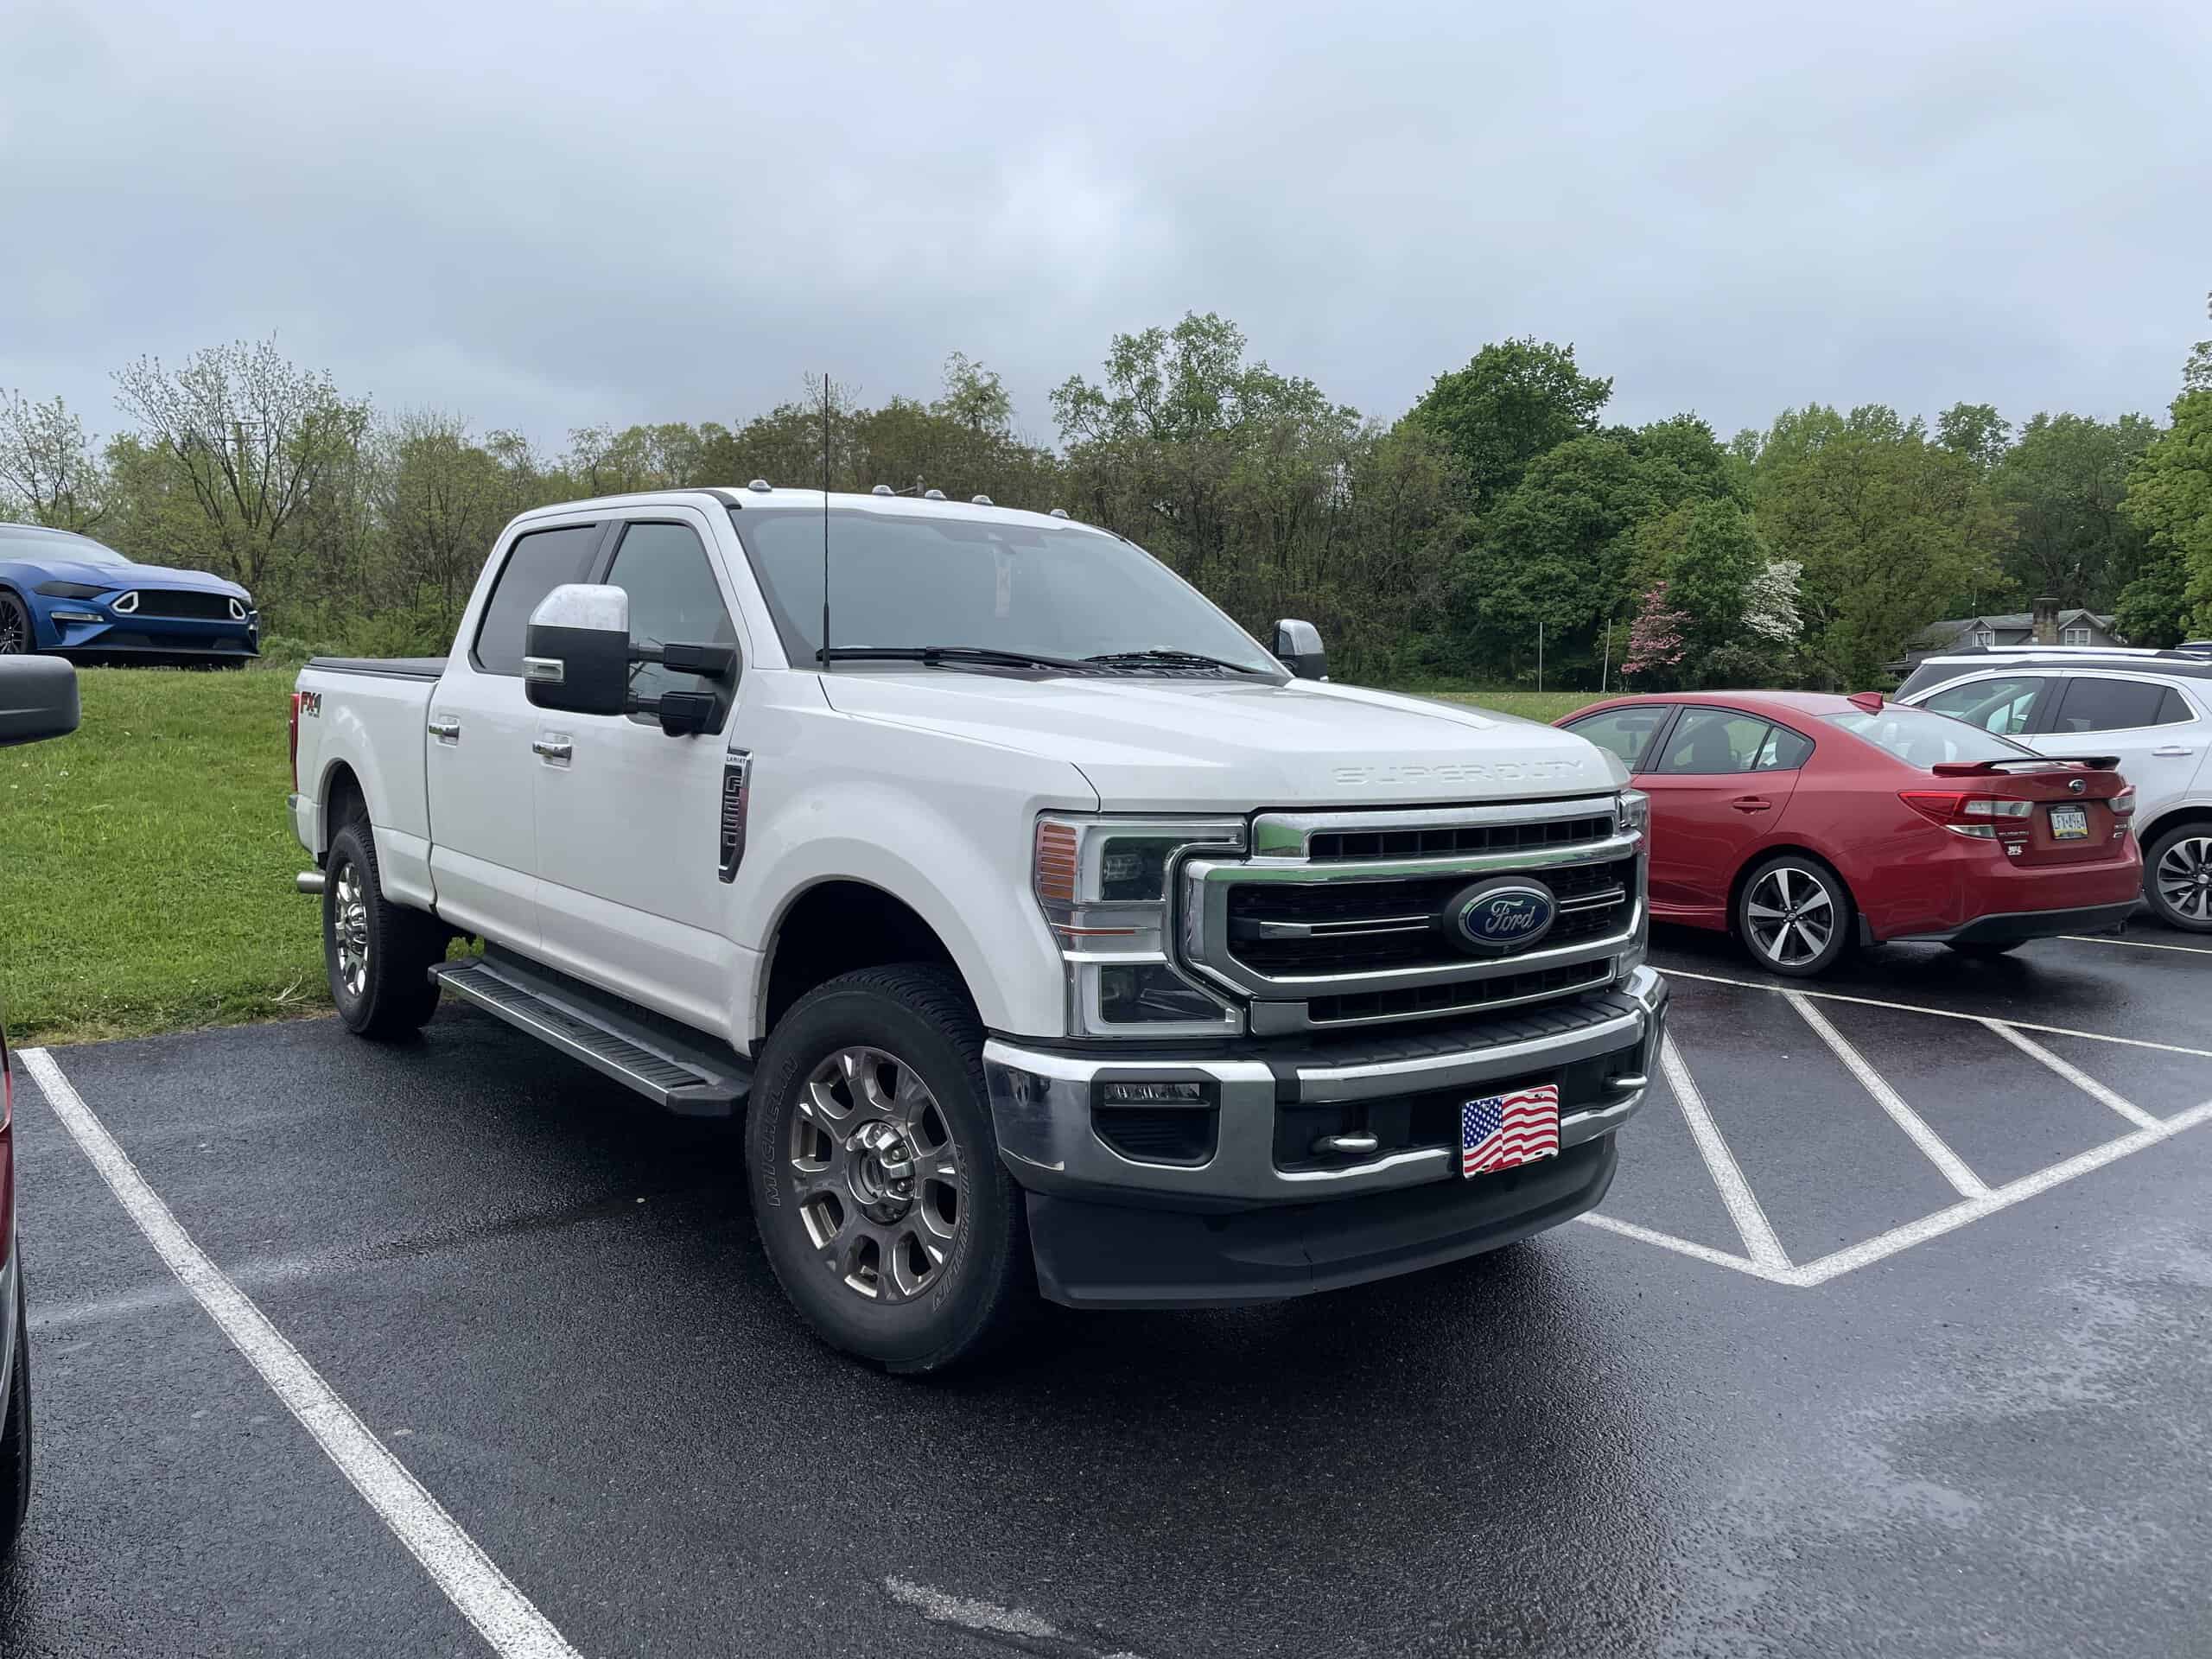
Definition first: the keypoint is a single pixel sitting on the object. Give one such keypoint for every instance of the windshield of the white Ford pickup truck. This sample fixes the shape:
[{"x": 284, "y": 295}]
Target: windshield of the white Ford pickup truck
[{"x": 994, "y": 583}]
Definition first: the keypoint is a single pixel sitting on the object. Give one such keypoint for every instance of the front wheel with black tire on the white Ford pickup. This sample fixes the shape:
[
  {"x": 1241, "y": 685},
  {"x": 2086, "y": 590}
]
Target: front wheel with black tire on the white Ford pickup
[{"x": 875, "y": 1171}]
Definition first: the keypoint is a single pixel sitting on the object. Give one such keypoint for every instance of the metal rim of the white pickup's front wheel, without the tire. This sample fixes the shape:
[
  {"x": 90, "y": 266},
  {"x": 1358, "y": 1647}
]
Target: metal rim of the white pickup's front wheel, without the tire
[{"x": 877, "y": 1171}]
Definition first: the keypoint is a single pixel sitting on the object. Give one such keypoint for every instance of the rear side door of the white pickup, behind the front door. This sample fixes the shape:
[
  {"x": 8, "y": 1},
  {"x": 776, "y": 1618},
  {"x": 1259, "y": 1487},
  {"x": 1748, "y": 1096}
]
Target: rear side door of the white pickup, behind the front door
[{"x": 481, "y": 766}]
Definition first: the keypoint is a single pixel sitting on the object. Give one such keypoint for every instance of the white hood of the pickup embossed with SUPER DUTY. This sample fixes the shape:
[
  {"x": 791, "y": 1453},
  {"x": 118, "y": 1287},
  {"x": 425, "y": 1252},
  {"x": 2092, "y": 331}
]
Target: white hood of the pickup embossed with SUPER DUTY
[{"x": 1209, "y": 747}]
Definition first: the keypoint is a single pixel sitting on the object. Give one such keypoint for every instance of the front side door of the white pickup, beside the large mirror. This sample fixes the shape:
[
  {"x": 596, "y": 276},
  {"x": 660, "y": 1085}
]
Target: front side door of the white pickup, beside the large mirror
[{"x": 629, "y": 820}]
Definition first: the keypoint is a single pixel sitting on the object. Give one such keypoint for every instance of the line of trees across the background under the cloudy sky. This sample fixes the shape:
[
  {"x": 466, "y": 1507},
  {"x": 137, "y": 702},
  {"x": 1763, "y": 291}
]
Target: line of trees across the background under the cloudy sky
[{"x": 1496, "y": 519}]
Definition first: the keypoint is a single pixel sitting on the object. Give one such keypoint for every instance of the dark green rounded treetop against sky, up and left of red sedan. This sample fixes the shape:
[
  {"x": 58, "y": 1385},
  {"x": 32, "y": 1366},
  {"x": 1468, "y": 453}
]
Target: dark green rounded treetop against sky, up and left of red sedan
[{"x": 1512, "y": 404}]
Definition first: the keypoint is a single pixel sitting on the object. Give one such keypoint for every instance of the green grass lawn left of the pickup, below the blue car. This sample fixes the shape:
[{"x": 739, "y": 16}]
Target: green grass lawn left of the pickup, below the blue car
[{"x": 147, "y": 864}]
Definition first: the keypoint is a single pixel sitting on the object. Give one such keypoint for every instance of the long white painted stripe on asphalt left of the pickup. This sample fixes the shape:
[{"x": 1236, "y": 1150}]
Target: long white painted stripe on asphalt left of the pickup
[{"x": 470, "y": 1578}]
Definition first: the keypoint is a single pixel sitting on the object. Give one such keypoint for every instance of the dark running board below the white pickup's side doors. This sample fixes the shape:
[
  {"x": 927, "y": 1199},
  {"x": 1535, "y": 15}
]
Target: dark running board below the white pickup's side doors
[{"x": 680, "y": 1074}]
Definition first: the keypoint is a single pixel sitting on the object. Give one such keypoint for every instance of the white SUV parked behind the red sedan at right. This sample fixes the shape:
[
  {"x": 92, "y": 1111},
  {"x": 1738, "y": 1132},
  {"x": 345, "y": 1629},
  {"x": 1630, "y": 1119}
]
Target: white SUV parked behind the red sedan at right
[{"x": 2151, "y": 709}]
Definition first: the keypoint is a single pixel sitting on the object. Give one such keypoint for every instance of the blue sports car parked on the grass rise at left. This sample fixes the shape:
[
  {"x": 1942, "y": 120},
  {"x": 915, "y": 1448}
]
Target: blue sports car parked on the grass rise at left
[{"x": 76, "y": 598}]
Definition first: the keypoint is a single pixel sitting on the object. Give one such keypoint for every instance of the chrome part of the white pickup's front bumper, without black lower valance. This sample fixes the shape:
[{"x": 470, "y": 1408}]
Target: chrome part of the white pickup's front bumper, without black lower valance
[{"x": 1041, "y": 1105}]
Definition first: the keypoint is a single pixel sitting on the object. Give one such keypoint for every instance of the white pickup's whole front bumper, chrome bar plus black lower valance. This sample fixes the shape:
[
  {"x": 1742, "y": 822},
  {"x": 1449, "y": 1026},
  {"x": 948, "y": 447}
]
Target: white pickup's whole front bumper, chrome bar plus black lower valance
[{"x": 1096, "y": 1204}]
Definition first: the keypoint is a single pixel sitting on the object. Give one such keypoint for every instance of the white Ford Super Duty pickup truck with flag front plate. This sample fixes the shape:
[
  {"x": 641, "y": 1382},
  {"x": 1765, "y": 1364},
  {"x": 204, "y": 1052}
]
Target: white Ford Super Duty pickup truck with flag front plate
[{"x": 1047, "y": 932}]
